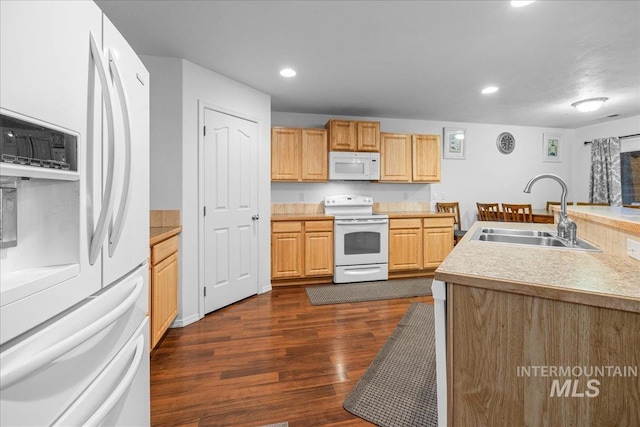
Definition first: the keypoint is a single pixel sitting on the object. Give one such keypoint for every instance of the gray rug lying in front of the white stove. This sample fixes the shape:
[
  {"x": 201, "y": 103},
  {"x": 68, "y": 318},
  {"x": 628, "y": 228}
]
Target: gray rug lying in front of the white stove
[{"x": 369, "y": 291}]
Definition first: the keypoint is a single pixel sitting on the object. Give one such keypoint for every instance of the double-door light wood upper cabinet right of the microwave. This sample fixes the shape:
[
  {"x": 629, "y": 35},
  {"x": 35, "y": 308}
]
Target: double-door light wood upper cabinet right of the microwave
[{"x": 409, "y": 158}]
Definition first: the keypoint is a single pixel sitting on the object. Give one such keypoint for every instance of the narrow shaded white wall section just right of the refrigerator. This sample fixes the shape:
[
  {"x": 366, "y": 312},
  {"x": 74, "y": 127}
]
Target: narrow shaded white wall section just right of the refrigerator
[{"x": 165, "y": 153}]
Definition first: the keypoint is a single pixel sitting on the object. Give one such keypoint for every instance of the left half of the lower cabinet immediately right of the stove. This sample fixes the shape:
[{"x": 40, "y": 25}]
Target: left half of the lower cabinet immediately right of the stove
[{"x": 405, "y": 245}]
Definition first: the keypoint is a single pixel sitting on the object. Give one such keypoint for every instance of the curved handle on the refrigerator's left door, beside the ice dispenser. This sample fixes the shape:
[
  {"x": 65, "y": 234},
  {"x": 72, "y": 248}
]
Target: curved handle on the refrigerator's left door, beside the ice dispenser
[{"x": 109, "y": 191}]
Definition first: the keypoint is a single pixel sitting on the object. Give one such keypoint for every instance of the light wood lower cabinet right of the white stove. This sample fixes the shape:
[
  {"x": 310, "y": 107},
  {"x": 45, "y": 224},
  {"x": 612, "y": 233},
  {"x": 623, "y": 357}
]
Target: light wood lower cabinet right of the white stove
[{"x": 419, "y": 245}]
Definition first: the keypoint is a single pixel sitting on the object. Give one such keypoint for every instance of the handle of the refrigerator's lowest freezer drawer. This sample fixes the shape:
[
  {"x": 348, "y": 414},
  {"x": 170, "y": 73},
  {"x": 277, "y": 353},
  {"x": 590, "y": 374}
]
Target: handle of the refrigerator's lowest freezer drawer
[{"x": 84, "y": 411}]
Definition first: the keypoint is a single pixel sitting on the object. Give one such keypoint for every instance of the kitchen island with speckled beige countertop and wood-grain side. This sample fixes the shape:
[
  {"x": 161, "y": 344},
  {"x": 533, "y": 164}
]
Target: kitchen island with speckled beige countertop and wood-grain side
[{"x": 543, "y": 336}]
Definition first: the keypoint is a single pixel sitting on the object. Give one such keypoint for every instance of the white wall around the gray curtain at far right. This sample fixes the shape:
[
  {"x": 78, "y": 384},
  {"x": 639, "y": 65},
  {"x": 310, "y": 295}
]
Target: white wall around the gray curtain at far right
[{"x": 582, "y": 152}]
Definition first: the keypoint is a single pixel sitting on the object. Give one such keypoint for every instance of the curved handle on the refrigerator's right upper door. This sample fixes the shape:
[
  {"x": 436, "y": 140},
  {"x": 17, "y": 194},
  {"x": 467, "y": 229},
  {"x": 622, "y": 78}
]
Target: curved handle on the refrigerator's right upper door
[{"x": 115, "y": 234}]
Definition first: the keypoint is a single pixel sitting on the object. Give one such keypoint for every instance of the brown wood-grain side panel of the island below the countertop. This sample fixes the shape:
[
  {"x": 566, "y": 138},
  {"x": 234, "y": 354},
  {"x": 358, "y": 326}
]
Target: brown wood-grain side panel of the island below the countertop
[{"x": 492, "y": 333}]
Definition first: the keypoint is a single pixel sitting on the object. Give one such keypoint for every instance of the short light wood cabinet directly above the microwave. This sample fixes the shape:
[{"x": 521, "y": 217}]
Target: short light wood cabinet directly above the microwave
[{"x": 347, "y": 135}]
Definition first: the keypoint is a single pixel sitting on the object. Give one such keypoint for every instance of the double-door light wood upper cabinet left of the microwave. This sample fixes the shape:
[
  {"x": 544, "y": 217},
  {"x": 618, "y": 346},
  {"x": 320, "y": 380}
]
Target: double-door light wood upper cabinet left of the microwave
[{"x": 298, "y": 154}]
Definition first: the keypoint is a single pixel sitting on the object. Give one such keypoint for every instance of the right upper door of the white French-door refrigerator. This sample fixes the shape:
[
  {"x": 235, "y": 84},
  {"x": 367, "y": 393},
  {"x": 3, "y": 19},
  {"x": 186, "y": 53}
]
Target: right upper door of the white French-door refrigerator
[{"x": 127, "y": 245}]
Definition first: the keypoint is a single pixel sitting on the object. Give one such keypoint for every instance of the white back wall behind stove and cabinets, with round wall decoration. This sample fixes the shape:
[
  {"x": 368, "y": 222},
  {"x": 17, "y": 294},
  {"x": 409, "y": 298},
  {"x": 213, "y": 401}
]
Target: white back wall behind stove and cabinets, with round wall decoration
[{"x": 485, "y": 175}]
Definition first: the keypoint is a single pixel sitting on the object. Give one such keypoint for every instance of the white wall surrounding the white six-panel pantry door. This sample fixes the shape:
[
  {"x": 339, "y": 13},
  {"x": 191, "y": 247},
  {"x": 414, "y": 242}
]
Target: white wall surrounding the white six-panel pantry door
[{"x": 177, "y": 90}]
